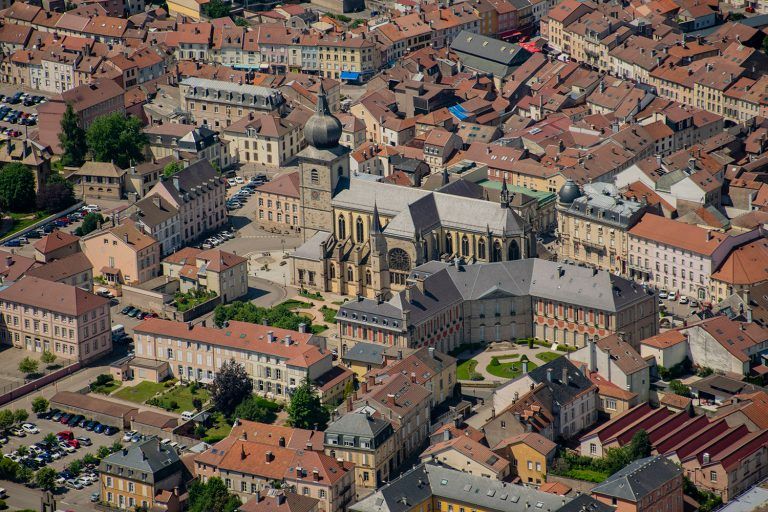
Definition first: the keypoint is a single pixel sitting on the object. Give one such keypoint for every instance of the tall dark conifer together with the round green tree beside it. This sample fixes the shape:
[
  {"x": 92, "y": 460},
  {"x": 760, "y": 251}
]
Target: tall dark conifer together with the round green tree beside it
[{"x": 114, "y": 137}]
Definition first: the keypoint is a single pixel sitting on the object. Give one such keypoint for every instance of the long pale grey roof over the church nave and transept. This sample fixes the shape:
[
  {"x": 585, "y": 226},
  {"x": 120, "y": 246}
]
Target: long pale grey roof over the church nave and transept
[{"x": 412, "y": 209}]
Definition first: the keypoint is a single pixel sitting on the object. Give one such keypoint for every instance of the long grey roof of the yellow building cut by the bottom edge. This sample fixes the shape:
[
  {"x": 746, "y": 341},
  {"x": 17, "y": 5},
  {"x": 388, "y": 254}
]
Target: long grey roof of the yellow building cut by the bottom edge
[{"x": 429, "y": 480}]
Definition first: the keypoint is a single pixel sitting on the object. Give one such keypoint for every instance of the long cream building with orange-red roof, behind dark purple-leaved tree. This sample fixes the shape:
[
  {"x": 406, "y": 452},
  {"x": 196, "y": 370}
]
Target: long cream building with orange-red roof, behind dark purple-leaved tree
[{"x": 277, "y": 360}]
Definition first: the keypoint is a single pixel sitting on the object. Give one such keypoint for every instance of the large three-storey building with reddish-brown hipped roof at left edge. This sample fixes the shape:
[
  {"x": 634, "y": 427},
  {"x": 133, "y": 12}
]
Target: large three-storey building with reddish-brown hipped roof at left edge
[{"x": 39, "y": 315}]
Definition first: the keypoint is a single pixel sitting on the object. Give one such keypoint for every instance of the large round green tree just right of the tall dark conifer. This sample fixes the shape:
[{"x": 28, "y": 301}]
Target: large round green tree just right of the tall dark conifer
[{"x": 117, "y": 138}]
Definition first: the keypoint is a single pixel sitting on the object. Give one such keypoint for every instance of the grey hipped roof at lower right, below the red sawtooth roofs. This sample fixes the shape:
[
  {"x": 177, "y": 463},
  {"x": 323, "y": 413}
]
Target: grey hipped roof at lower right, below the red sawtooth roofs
[{"x": 639, "y": 478}]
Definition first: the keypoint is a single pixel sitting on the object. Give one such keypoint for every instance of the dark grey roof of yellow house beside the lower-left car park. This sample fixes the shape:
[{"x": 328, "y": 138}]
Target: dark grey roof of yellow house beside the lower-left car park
[{"x": 148, "y": 456}]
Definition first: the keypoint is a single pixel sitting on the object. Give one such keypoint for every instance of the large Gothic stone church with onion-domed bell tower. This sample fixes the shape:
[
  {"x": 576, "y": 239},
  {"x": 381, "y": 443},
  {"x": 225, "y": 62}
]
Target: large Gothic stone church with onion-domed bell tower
[{"x": 363, "y": 237}]
